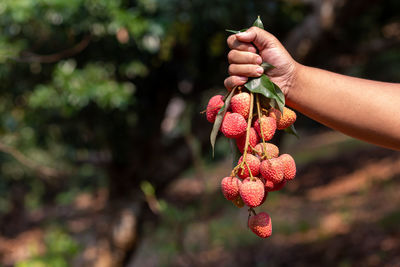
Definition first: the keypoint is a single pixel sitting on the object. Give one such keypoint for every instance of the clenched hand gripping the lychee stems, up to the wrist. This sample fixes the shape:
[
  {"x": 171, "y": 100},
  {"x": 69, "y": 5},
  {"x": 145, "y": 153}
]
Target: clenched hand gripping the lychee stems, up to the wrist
[{"x": 244, "y": 62}]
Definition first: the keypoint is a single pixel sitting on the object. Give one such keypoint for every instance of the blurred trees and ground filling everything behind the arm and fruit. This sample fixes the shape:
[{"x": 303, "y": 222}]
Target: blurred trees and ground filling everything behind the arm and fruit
[{"x": 105, "y": 157}]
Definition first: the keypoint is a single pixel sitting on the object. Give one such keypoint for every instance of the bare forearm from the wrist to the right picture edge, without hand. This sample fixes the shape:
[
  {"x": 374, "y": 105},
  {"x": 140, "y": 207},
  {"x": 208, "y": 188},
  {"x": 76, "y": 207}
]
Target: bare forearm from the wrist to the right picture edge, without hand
[{"x": 364, "y": 109}]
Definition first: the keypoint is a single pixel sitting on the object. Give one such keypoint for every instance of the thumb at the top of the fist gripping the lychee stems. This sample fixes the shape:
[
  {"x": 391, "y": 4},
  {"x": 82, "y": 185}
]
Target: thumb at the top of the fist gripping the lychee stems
[{"x": 259, "y": 37}]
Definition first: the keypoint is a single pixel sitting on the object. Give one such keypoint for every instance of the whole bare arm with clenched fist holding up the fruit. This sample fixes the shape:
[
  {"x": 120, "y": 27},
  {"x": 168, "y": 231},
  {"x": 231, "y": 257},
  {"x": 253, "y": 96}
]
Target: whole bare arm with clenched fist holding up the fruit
[{"x": 365, "y": 109}]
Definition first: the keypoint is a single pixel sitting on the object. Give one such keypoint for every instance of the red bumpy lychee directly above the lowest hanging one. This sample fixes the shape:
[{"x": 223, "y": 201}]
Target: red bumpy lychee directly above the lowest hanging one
[{"x": 252, "y": 192}]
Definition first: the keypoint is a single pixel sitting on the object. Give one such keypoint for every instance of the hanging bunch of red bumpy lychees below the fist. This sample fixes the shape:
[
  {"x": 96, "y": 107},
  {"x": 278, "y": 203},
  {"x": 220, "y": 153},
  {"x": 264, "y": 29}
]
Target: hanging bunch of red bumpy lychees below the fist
[{"x": 260, "y": 170}]
